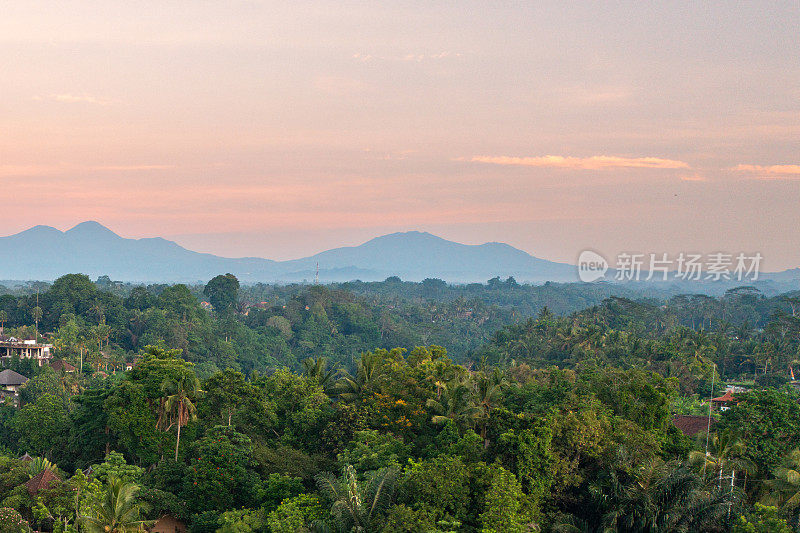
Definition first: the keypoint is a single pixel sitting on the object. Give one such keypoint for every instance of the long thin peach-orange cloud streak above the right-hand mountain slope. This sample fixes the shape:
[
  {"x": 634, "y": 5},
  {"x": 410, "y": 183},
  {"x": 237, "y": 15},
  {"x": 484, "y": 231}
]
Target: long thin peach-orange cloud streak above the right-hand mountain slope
[{"x": 595, "y": 162}]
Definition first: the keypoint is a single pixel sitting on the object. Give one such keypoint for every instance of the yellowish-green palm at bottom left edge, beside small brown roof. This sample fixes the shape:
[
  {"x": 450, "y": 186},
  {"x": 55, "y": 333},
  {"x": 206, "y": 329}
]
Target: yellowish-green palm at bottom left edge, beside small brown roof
[{"x": 116, "y": 510}]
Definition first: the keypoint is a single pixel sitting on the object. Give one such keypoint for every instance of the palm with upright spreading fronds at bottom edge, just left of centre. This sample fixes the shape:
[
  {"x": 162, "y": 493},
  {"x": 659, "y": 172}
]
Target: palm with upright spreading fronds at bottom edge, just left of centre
[{"x": 357, "y": 504}]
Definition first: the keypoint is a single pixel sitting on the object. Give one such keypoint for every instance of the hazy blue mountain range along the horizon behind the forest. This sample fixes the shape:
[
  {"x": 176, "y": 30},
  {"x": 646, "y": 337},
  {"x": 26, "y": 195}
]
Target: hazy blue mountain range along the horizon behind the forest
[{"x": 45, "y": 253}]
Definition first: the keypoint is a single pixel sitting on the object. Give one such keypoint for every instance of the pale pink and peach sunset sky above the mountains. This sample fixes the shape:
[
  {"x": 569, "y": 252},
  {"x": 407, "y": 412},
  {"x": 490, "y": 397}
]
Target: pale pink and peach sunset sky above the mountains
[{"x": 280, "y": 129}]
